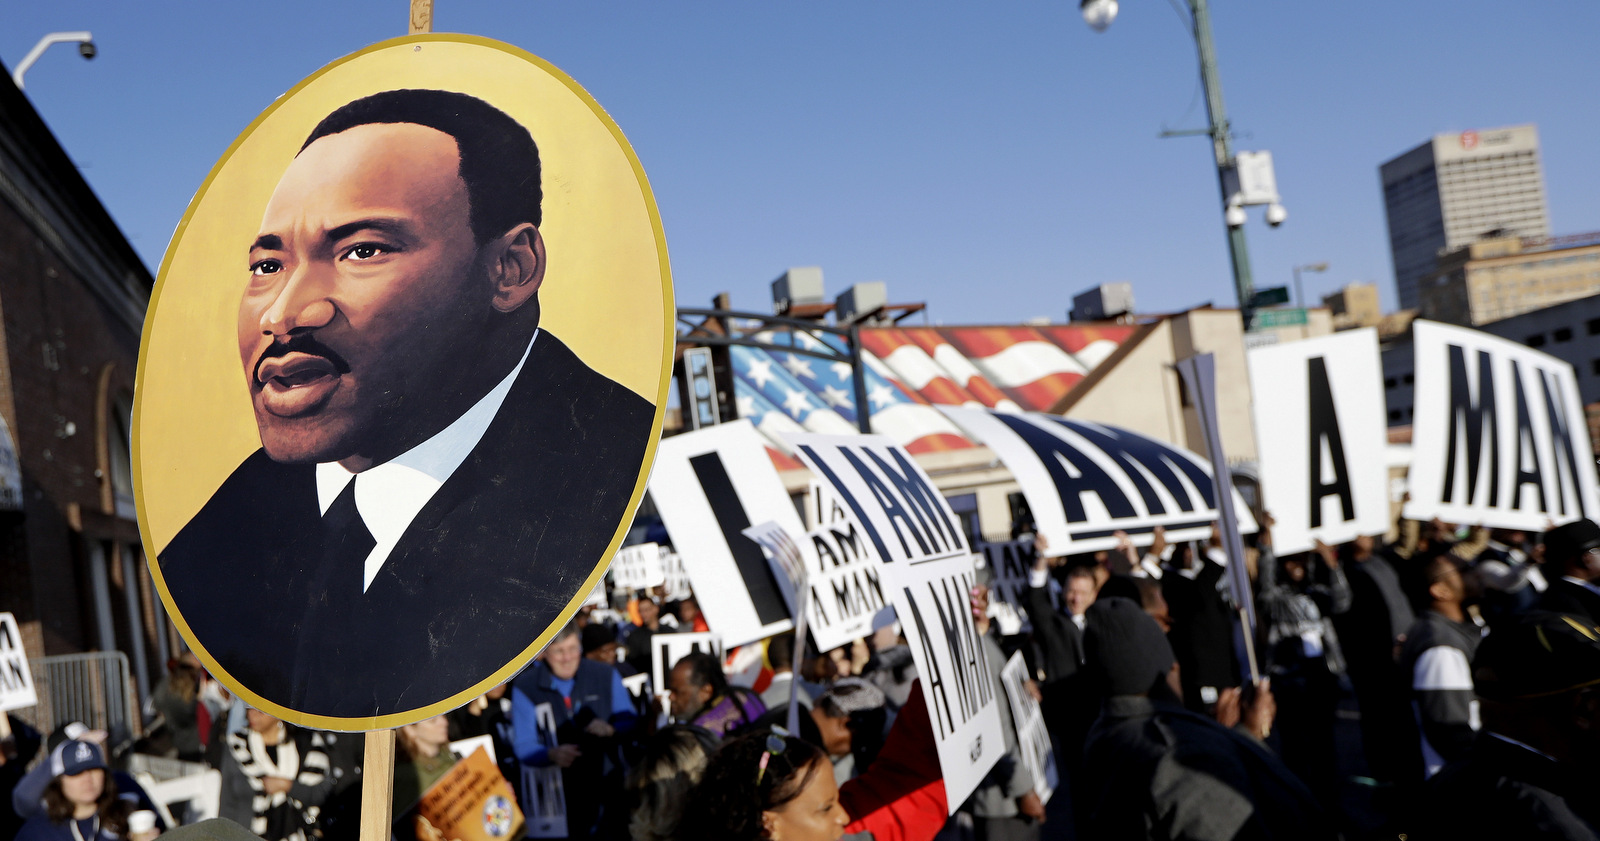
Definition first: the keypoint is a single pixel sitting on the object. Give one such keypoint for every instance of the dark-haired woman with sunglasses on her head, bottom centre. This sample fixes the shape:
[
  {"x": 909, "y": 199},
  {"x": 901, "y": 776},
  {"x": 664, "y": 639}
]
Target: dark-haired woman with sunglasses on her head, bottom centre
[{"x": 767, "y": 786}]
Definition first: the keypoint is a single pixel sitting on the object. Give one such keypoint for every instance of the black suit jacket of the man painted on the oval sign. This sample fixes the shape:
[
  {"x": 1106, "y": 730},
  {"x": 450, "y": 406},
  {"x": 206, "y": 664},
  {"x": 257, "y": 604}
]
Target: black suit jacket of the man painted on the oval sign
[{"x": 482, "y": 570}]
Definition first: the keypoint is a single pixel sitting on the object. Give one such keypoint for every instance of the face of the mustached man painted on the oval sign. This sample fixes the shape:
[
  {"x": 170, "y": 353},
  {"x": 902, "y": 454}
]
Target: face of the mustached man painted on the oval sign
[{"x": 369, "y": 297}]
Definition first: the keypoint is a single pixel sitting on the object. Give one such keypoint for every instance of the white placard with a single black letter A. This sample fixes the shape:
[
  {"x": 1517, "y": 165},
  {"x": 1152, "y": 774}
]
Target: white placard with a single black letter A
[{"x": 1321, "y": 439}]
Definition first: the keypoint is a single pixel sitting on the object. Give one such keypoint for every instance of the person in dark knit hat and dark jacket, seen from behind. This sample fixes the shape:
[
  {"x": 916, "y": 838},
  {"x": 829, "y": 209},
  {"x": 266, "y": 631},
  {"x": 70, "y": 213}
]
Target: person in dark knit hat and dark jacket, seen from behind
[{"x": 1156, "y": 770}]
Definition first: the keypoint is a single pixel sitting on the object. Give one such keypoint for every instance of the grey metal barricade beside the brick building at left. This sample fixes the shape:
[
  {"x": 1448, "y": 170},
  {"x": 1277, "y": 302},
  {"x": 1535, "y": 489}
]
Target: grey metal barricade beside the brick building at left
[{"x": 92, "y": 688}]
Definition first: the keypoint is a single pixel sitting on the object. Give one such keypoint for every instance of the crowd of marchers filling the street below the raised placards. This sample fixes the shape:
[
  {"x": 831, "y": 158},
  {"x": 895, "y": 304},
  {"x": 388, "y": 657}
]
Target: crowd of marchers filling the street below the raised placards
[{"x": 1441, "y": 685}]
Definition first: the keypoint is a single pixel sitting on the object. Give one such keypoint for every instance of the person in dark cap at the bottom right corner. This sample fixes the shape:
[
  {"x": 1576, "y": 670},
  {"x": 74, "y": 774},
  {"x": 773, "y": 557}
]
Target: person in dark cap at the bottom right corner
[{"x": 1532, "y": 771}]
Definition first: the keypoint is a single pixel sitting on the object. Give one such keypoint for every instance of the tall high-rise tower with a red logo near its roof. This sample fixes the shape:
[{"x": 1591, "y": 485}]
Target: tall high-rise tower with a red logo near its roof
[{"x": 1457, "y": 188}]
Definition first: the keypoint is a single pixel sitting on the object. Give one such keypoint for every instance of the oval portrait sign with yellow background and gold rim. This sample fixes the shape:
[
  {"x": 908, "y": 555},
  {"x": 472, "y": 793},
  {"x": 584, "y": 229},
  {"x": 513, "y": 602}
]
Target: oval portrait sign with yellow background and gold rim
[{"x": 402, "y": 381}]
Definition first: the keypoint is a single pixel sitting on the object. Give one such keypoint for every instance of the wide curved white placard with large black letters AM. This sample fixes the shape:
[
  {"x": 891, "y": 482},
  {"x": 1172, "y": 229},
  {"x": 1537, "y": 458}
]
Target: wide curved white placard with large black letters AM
[{"x": 1084, "y": 482}]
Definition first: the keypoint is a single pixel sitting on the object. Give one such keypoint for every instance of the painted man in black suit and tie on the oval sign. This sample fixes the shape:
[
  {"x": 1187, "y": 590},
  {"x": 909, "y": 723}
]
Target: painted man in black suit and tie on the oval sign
[{"x": 438, "y": 476}]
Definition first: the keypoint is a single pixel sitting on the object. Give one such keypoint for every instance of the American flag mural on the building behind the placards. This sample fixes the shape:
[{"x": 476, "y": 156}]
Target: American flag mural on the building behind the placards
[{"x": 911, "y": 370}]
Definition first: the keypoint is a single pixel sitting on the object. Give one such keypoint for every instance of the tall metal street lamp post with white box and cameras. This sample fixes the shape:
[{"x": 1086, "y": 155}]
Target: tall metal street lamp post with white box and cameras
[{"x": 1244, "y": 178}]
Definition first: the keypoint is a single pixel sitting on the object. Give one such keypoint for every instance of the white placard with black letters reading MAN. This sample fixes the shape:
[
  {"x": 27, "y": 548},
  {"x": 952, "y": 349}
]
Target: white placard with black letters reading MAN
[{"x": 1498, "y": 434}]
